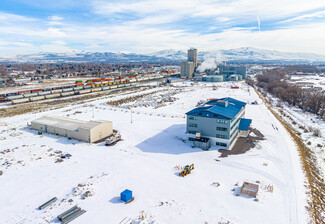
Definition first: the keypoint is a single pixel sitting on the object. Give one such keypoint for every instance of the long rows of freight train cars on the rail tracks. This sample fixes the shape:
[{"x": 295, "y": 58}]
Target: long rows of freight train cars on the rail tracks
[{"x": 92, "y": 85}]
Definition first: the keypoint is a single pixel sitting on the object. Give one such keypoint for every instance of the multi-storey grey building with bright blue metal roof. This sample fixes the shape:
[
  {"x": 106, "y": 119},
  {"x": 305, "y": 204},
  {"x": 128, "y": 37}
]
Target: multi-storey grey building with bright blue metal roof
[{"x": 217, "y": 123}]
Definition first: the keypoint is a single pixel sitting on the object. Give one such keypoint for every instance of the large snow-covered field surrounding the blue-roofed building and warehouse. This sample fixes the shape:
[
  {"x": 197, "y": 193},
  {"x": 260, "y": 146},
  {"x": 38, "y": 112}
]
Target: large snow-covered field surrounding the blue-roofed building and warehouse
[{"x": 144, "y": 162}]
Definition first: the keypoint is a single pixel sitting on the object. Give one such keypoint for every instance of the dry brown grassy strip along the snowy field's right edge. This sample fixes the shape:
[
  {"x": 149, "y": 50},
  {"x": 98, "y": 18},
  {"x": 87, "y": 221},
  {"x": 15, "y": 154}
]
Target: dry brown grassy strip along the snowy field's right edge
[{"x": 314, "y": 180}]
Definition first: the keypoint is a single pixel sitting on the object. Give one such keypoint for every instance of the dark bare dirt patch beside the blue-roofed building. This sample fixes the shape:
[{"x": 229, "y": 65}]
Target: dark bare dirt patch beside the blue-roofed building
[{"x": 243, "y": 144}]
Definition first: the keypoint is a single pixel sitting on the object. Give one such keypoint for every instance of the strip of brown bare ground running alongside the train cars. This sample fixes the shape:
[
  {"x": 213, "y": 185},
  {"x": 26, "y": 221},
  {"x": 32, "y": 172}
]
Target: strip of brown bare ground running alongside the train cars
[{"x": 60, "y": 102}]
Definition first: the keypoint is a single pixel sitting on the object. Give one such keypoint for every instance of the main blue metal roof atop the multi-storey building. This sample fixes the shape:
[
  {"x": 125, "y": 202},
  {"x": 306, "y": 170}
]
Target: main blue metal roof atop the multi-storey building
[{"x": 229, "y": 112}]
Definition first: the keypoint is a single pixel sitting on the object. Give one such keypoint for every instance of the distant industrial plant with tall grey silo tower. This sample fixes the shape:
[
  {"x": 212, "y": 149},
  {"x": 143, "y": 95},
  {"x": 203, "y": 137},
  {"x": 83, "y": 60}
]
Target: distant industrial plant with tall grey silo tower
[{"x": 224, "y": 72}]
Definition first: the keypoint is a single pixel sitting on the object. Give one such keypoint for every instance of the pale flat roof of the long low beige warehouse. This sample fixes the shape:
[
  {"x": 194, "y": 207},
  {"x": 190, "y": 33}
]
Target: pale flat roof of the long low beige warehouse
[{"x": 67, "y": 123}]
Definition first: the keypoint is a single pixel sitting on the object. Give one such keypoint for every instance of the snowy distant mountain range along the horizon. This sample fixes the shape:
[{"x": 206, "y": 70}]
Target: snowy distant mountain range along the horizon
[{"x": 244, "y": 54}]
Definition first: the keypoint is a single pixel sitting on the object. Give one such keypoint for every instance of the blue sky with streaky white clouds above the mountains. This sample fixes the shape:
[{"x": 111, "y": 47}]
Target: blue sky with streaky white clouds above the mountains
[{"x": 30, "y": 26}]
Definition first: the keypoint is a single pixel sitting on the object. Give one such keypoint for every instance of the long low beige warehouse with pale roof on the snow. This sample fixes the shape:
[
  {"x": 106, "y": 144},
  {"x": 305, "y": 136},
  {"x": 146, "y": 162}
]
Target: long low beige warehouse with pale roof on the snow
[{"x": 88, "y": 131}]
